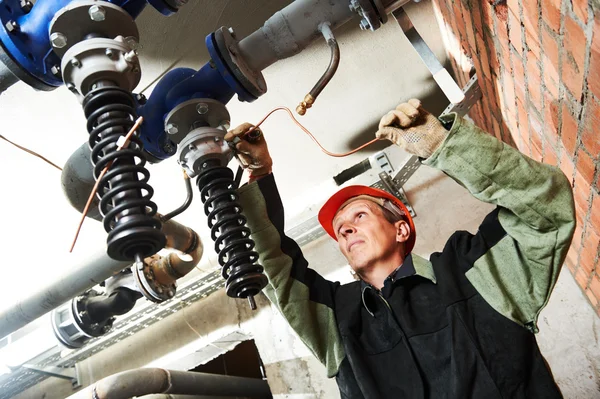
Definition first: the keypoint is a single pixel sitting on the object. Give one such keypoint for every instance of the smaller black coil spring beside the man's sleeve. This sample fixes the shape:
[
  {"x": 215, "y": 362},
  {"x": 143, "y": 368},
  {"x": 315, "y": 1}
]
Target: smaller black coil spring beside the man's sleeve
[{"x": 244, "y": 277}]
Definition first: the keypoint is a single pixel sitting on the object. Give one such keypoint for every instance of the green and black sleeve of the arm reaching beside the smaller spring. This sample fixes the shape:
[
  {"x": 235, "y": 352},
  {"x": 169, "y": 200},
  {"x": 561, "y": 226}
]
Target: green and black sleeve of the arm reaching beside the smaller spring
[{"x": 304, "y": 298}]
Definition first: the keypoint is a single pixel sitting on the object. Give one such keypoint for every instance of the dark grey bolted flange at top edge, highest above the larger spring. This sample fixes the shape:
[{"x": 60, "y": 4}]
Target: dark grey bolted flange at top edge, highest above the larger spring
[{"x": 82, "y": 20}]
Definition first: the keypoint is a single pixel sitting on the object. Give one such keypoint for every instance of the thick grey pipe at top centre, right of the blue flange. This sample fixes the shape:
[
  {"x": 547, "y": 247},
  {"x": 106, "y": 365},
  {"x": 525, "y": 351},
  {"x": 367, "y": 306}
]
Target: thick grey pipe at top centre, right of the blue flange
[{"x": 291, "y": 30}]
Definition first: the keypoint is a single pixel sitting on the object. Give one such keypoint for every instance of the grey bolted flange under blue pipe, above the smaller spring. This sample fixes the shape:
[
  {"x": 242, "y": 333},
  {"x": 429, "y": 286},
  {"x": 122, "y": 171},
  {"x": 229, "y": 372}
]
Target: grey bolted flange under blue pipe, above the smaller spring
[{"x": 191, "y": 114}]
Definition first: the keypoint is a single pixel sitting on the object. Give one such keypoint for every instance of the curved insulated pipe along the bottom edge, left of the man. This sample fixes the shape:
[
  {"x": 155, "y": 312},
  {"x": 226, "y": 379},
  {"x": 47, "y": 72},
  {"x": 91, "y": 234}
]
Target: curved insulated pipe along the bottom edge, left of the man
[{"x": 145, "y": 381}]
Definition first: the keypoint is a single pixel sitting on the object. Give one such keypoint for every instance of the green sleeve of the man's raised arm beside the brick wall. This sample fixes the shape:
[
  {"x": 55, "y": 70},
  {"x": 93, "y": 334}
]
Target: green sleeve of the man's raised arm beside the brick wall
[{"x": 536, "y": 210}]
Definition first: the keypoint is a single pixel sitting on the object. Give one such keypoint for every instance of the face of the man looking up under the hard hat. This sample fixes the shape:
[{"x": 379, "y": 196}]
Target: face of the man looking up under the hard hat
[{"x": 365, "y": 237}]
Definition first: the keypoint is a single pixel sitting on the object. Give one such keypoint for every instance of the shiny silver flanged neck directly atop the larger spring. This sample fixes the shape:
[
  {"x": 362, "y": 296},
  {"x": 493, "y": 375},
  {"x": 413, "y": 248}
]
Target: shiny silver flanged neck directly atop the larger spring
[{"x": 101, "y": 59}]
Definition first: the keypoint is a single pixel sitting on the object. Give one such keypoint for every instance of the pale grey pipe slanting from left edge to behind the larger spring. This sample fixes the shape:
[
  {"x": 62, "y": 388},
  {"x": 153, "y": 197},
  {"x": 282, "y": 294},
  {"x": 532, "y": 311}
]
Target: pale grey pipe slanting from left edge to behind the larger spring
[{"x": 80, "y": 277}]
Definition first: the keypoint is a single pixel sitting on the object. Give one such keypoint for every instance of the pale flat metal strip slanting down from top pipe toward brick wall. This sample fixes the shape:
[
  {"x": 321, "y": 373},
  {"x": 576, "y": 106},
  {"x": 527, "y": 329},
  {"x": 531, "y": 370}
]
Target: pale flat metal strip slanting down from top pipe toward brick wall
[{"x": 440, "y": 74}]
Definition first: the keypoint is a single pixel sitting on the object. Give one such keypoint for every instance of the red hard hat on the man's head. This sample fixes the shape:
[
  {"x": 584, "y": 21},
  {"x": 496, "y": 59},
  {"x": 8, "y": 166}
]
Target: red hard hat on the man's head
[{"x": 331, "y": 207}]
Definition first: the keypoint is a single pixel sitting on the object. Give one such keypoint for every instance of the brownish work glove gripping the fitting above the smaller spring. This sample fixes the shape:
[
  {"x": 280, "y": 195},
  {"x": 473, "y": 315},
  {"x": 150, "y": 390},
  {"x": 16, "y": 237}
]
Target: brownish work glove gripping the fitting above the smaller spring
[{"x": 252, "y": 153}]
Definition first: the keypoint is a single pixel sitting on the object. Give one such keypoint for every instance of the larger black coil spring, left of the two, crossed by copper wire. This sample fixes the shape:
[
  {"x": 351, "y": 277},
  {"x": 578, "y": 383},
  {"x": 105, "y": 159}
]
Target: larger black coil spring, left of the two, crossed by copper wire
[{"x": 124, "y": 192}]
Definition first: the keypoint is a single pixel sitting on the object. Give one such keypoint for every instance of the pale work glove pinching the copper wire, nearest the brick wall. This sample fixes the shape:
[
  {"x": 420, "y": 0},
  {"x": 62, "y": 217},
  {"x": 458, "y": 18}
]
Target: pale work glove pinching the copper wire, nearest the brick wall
[{"x": 413, "y": 129}]
